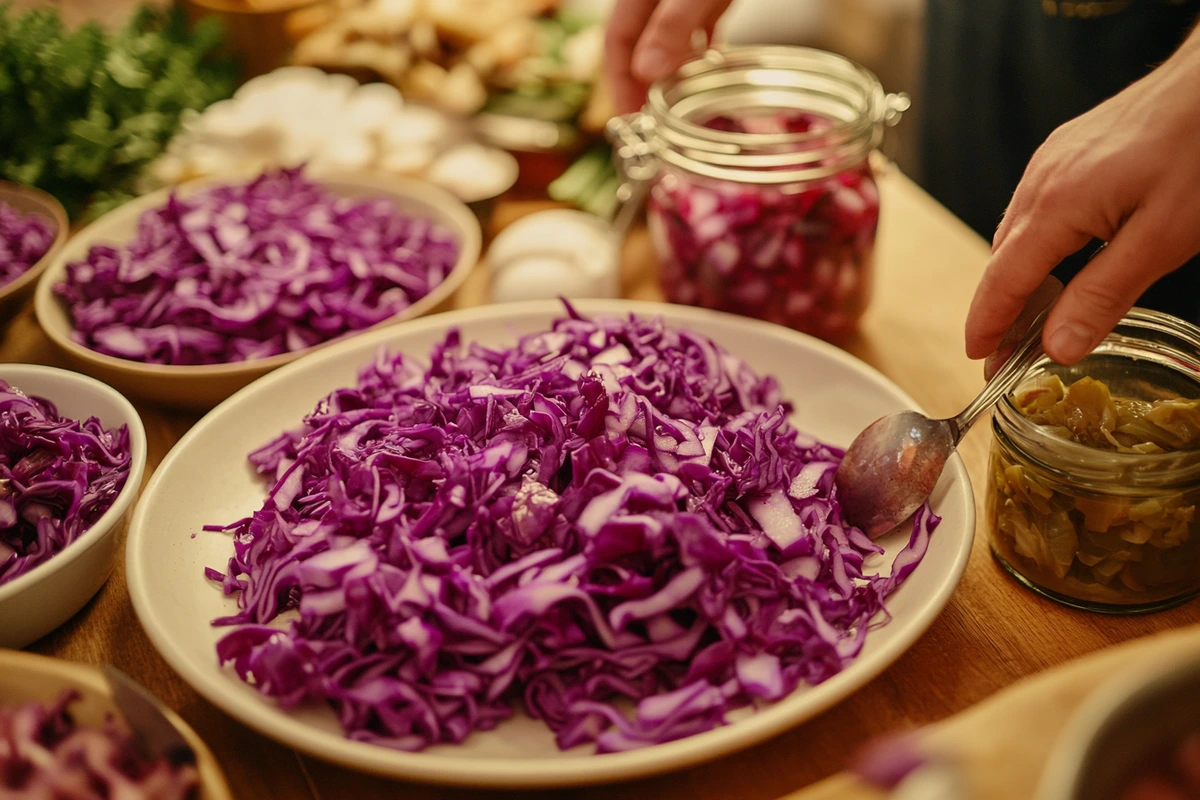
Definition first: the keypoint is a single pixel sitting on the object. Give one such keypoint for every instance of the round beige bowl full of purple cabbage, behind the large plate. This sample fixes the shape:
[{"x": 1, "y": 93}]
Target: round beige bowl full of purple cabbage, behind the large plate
[{"x": 188, "y": 294}]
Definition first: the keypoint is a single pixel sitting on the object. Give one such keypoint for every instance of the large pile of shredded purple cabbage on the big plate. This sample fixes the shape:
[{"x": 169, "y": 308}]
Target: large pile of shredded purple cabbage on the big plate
[{"x": 614, "y": 514}]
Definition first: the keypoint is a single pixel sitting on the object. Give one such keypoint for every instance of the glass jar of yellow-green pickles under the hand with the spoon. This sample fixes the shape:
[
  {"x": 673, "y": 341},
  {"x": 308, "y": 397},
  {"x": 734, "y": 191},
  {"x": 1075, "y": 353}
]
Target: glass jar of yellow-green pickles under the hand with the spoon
[{"x": 1094, "y": 483}]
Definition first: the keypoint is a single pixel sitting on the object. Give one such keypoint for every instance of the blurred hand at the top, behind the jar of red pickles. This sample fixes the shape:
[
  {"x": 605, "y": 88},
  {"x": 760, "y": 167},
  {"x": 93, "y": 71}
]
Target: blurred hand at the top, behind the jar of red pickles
[{"x": 649, "y": 39}]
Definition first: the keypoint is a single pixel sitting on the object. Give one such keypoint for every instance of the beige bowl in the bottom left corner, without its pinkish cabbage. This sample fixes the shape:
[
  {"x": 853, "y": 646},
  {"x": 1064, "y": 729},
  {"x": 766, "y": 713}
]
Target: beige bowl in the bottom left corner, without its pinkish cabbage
[{"x": 26, "y": 678}]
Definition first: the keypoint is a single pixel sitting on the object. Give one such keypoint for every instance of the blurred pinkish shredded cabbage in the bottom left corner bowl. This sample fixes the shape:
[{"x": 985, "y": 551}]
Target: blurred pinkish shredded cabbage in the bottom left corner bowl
[{"x": 45, "y": 755}]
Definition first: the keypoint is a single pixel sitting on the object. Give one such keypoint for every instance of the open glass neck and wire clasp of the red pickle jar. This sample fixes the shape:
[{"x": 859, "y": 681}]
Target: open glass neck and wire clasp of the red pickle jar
[{"x": 764, "y": 80}]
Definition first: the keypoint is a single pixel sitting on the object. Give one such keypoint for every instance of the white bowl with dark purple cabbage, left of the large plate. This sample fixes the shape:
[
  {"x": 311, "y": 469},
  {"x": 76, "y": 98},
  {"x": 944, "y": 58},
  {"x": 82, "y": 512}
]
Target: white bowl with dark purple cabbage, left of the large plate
[{"x": 73, "y": 453}]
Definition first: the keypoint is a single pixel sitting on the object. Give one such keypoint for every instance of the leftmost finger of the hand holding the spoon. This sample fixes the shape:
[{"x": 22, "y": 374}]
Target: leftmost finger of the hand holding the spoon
[{"x": 1023, "y": 261}]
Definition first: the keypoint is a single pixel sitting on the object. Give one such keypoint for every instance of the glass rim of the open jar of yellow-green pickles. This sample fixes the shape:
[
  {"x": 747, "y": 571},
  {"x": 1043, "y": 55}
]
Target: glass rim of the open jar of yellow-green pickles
[{"x": 1085, "y": 462}]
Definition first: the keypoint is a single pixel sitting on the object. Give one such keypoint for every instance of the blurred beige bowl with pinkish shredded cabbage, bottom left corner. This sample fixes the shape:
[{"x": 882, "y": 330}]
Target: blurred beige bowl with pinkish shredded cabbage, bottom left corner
[{"x": 63, "y": 737}]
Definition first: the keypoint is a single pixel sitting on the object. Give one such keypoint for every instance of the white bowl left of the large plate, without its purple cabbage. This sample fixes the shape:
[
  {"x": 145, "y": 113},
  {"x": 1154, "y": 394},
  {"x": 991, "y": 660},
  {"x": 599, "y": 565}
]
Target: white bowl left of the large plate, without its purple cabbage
[{"x": 49, "y": 596}]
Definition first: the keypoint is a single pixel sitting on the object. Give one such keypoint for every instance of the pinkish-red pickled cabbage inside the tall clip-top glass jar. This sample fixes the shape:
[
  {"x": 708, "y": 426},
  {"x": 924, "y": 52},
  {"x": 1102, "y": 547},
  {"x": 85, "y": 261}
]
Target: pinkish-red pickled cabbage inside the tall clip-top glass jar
[{"x": 799, "y": 255}]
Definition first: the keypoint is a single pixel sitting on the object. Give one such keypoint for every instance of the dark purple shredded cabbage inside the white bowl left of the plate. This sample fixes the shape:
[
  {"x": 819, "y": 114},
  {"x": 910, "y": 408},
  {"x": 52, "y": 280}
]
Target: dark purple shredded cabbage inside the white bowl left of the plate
[{"x": 58, "y": 477}]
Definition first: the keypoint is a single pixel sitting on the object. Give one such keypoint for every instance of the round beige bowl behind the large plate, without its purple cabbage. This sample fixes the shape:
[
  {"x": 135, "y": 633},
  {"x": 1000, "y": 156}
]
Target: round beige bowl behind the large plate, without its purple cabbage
[{"x": 201, "y": 388}]
